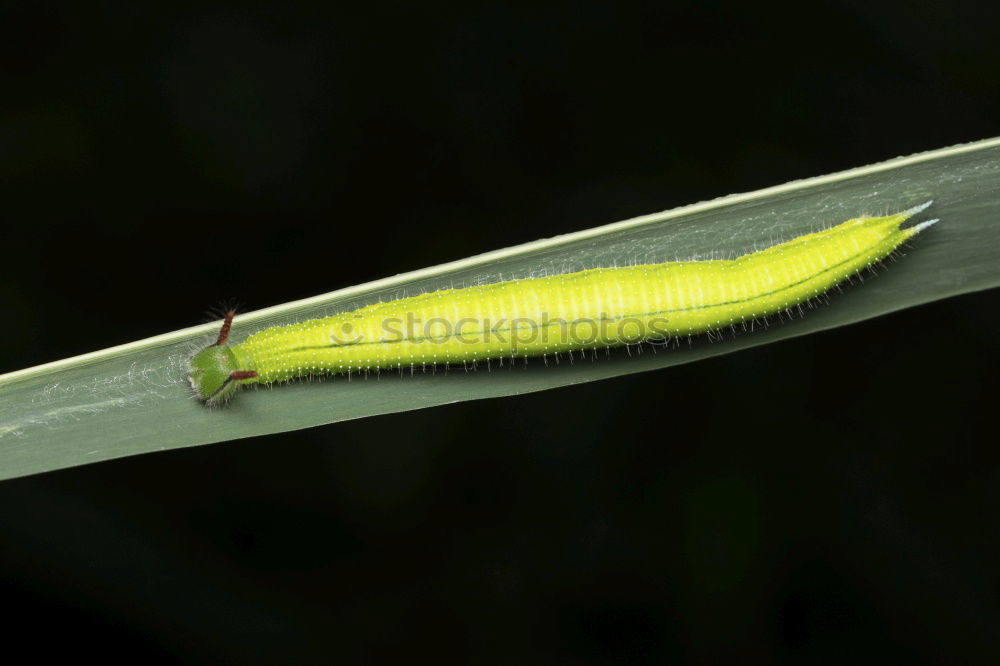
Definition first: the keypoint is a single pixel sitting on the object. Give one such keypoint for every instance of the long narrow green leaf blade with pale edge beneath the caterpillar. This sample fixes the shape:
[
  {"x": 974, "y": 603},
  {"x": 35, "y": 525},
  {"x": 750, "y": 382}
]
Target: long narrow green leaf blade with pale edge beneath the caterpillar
[{"x": 135, "y": 399}]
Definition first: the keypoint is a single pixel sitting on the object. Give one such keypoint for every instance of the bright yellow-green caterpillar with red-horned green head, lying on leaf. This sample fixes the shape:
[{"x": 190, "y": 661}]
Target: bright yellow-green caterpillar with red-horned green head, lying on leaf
[{"x": 599, "y": 307}]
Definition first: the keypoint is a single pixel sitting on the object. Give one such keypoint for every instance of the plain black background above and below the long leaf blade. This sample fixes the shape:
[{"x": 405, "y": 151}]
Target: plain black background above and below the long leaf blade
[{"x": 830, "y": 499}]
